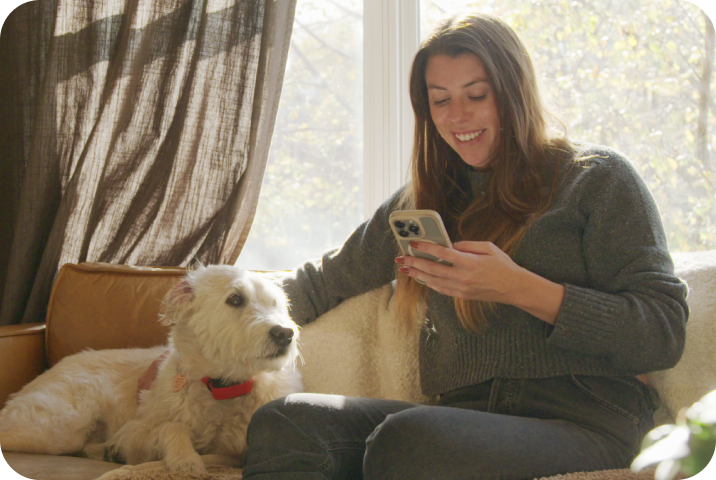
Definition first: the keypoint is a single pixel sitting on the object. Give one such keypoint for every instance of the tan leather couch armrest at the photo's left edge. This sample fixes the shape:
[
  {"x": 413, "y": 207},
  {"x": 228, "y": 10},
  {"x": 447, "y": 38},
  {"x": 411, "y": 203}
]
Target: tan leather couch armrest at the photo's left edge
[{"x": 22, "y": 356}]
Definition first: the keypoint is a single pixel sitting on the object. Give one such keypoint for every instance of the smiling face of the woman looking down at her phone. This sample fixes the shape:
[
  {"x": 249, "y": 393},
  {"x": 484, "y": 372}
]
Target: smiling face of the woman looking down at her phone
[{"x": 463, "y": 107}]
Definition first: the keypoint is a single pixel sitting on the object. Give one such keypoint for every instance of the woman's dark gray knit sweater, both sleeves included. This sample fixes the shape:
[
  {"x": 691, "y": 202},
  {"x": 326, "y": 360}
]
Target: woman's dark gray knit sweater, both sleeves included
[{"x": 624, "y": 312}]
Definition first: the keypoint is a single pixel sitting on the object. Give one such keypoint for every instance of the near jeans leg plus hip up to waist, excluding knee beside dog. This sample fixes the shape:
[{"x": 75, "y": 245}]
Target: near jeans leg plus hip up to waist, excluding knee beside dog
[{"x": 514, "y": 429}]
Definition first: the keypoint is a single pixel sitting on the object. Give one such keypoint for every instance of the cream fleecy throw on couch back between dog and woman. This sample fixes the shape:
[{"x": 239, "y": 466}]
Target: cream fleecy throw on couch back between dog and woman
[{"x": 358, "y": 349}]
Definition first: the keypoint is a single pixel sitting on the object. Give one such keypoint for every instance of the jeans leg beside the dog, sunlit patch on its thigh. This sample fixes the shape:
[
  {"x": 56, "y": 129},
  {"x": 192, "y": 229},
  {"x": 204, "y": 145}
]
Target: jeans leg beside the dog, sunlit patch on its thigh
[{"x": 313, "y": 437}]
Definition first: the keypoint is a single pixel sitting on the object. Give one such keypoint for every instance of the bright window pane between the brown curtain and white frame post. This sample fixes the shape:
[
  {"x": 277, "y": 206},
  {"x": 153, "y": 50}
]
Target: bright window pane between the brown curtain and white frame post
[{"x": 312, "y": 195}]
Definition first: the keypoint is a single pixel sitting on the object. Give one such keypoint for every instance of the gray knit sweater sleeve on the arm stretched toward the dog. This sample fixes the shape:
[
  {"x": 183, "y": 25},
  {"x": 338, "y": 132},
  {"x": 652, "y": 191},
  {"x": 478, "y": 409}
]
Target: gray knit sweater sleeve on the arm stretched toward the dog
[{"x": 364, "y": 262}]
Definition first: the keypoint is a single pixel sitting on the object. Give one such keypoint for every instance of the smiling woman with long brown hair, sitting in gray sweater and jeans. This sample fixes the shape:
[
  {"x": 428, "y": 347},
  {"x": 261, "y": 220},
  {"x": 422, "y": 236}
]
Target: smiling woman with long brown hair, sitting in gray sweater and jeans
[{"x": 561, "y": 293}]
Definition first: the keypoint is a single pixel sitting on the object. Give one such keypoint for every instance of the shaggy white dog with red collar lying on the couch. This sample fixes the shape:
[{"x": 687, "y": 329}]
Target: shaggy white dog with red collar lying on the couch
[{"x": 232, "y": 348}]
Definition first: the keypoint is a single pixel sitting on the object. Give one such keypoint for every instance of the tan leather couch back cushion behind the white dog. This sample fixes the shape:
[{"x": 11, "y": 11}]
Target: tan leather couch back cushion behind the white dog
[{"x": 100, "y": 306}]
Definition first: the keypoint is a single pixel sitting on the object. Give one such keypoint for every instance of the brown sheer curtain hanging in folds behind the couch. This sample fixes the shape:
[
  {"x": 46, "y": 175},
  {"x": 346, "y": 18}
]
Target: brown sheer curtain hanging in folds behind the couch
[{"x": 133, "y": 131}]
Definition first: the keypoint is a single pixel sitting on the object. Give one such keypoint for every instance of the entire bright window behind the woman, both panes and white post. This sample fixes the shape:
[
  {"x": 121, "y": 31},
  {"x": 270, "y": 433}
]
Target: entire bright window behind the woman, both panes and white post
[{"x": 636, "y": 76}]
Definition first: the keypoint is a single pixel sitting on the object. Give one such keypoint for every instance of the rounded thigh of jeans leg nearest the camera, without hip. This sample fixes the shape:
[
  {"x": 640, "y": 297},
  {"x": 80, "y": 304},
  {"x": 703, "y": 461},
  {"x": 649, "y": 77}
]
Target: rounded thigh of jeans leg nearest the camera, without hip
[{"x": 455, "y": 444}]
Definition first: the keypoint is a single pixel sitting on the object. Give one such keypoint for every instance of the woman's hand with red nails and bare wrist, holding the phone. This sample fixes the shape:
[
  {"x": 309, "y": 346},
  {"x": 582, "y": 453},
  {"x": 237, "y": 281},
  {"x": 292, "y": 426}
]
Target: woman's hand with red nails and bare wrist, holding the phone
[{"x": 481, "y": 271}]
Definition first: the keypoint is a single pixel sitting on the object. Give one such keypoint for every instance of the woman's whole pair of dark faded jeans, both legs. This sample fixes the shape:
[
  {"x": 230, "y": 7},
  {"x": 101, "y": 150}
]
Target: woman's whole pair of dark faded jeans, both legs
[{"x": 500, "y": 429}]
